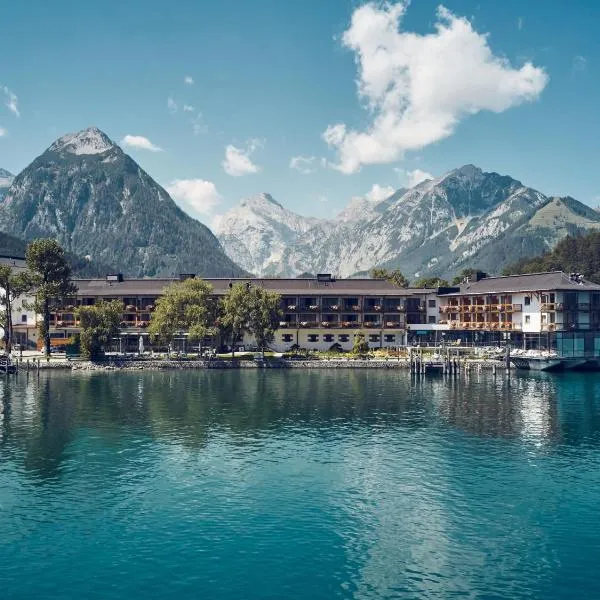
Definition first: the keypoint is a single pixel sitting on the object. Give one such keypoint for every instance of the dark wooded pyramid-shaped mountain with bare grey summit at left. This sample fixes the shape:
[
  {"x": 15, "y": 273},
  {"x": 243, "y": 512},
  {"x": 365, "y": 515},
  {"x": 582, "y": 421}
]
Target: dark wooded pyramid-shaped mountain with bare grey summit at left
[{"x": 98, "y": 202}]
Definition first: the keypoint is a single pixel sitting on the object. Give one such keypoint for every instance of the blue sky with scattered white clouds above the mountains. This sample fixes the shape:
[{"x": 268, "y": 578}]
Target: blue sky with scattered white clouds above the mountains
[{"x": 314, "y": 102}]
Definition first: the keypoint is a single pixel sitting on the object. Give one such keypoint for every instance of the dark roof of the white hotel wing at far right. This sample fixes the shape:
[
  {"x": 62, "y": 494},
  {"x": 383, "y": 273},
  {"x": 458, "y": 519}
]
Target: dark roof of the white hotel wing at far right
[{"x": 532, "y": 282}]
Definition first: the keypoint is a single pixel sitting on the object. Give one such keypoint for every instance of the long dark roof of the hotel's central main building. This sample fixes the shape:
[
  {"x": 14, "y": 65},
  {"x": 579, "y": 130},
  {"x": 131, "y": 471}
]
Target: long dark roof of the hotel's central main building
[{"x": 339, "y": 287}]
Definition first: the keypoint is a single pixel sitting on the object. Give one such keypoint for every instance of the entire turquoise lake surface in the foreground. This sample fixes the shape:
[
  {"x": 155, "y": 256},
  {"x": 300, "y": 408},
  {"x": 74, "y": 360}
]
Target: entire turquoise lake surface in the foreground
[{"x": 299, "y": 484}]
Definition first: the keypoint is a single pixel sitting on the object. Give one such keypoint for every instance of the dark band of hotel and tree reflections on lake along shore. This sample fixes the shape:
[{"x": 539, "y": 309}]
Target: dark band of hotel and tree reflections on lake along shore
[{"x": 42, "y": 415}]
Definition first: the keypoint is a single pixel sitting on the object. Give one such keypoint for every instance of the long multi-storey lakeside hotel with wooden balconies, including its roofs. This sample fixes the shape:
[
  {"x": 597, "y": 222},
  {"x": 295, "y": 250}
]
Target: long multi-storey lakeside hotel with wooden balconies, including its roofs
[{"x": 538, "y": 310}]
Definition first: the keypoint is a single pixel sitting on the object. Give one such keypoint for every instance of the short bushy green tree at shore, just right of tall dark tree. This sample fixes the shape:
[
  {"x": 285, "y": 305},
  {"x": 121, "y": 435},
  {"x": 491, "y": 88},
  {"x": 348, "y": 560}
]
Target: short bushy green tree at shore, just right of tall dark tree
[{"x": 98, "y": 324}]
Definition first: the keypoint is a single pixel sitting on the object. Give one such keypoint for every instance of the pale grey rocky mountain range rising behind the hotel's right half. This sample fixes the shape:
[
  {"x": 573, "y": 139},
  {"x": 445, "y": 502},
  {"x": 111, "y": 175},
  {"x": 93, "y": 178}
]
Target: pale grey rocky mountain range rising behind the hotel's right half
[{"x": 465, "y": 218}]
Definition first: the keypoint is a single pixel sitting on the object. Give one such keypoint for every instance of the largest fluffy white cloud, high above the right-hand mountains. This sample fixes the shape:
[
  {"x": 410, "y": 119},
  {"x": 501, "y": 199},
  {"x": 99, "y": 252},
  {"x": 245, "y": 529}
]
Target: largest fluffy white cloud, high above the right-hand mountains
[{"x": 419, "y": 87}]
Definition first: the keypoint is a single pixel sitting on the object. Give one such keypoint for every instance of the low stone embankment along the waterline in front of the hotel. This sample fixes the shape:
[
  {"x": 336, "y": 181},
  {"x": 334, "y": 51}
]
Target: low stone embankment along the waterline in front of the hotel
[{"x": 277, "y": 363}]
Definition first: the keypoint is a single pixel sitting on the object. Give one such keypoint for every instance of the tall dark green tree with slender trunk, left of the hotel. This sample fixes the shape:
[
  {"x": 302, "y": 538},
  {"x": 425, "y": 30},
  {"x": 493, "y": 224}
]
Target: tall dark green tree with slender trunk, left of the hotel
[{"x": 49, "y": 275}]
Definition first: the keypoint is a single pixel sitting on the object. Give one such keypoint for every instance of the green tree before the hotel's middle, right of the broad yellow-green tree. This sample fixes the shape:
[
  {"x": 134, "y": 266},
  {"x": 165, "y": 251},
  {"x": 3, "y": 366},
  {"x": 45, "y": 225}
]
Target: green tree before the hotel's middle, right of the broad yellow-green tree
[{"x": 252, "y": 309}]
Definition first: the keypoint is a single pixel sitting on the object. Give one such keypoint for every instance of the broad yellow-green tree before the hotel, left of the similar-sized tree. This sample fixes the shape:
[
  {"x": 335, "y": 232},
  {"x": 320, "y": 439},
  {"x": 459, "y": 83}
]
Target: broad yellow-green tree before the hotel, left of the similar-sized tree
[{"x": 184, "y": 306}]
